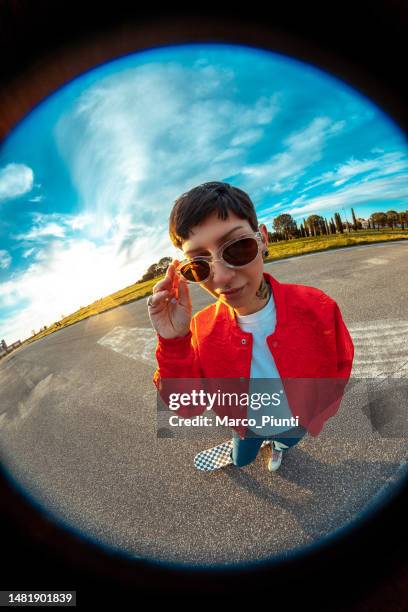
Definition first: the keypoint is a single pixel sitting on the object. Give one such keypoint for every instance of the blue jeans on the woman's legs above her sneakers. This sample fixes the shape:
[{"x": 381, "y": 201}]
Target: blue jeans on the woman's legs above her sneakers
[{"x": 245, "y": 451}]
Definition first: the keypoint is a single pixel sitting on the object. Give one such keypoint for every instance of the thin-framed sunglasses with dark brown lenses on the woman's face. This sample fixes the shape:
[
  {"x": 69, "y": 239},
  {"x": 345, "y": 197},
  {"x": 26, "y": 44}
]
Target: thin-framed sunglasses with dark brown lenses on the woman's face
[{"x": 235, "y": 253}]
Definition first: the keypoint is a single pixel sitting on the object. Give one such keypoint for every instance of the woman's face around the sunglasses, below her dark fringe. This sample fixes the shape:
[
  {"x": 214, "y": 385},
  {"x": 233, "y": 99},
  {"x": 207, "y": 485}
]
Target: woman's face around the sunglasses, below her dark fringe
[{"x": 204, "y": 239}]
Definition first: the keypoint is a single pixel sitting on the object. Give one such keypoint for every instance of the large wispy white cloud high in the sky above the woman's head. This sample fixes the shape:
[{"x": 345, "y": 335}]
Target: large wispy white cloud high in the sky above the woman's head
[{"x": 136, "y": 140}]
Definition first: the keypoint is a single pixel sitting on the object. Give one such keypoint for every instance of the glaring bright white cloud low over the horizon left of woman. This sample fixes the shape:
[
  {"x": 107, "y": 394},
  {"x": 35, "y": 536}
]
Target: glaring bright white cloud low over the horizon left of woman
[{"x": 70, "y": 273}]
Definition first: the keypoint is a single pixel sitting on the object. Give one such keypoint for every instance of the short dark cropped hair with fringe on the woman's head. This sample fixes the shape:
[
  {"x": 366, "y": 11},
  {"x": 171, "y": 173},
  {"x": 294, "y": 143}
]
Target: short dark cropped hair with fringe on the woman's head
[{"x": 192, "y": 207}]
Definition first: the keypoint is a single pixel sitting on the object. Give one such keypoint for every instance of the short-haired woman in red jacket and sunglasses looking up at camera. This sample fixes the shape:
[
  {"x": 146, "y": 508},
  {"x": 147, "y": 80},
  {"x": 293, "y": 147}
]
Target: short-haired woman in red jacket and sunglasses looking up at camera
[{"x": 259, "y": 328}]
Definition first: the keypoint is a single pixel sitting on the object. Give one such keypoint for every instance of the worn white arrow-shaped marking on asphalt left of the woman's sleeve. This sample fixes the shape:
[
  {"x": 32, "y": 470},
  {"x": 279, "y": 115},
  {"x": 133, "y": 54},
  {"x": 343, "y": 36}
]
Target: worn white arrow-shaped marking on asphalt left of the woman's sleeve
[{"x": 138, "y": 343}]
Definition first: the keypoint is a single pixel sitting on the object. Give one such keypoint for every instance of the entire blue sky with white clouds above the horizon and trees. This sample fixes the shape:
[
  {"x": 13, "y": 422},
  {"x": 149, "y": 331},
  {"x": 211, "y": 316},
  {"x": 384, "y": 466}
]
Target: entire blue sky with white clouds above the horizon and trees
[{"x": 88, "y": 178}]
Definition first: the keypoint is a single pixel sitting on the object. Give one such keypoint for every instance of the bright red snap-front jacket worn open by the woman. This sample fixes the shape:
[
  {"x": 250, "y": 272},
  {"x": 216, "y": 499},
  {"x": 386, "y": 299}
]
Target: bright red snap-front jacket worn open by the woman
[{"x": 311, "y": 346}]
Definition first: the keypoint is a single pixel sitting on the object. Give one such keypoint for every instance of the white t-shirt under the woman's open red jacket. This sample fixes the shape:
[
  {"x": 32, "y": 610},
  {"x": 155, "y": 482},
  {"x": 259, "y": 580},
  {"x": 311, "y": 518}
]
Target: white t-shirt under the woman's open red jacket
[{"x": 261, "y": 324}]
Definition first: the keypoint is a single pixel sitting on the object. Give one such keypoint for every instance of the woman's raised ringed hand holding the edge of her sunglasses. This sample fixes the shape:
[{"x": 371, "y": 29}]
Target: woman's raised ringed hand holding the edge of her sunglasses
[{"x": 170, "y": 308}]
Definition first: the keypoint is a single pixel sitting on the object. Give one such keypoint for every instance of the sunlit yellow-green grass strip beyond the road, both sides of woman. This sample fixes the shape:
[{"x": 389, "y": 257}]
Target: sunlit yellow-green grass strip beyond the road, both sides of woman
[{"x": 277, "y": 250}]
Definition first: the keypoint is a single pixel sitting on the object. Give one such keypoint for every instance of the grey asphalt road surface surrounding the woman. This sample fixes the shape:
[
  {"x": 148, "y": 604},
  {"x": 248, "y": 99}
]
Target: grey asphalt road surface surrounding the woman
[{"x": 78, "y": 430}]
